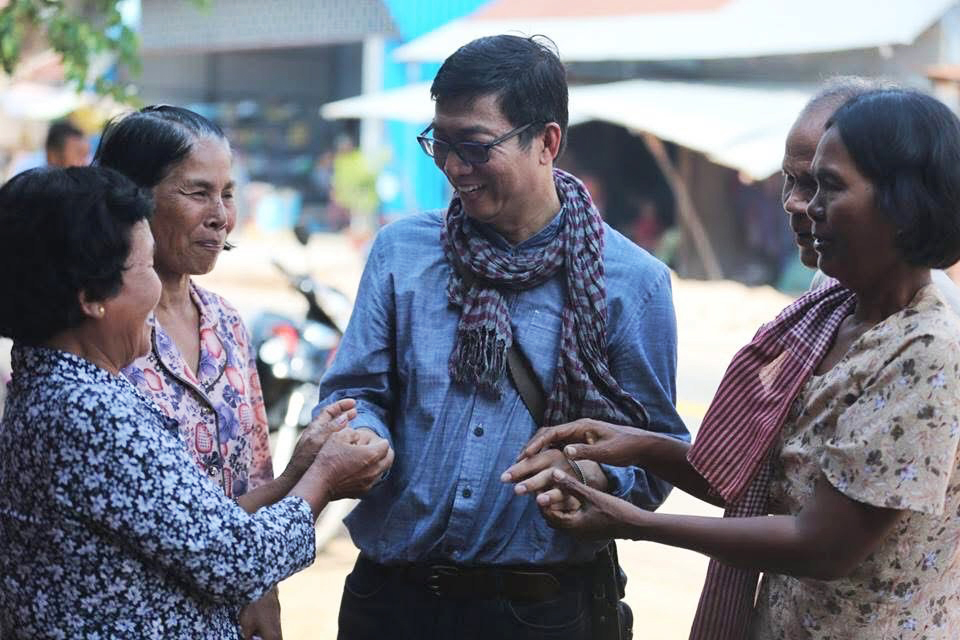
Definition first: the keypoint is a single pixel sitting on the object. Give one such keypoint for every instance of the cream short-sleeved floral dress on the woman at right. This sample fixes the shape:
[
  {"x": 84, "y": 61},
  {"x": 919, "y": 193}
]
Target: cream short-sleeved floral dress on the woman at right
[{"x": 882, "y": 426}]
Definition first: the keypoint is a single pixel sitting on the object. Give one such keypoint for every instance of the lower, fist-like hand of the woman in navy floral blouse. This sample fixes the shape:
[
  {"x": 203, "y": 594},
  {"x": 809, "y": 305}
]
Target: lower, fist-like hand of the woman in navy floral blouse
[{"x": 353, "y": 461}]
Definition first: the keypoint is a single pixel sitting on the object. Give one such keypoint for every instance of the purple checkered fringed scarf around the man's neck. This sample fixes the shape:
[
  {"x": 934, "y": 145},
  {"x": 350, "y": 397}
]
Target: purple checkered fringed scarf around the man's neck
[{"x": 584, "y": 386}]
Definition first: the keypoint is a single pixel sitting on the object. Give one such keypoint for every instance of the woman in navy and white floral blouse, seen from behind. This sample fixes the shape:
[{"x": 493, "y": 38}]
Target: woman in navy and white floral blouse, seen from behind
[{"x": 107, "y": 527}]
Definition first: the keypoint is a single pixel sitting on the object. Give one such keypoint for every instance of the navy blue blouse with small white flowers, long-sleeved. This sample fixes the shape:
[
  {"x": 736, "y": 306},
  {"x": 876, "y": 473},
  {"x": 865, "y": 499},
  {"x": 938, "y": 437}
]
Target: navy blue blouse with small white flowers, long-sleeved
[{"x": 107, "y": 527}]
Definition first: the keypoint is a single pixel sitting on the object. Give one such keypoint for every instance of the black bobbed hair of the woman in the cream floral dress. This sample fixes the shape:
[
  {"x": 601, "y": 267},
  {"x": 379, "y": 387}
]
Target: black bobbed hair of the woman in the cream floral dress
[{"x": 908, "y": 145}]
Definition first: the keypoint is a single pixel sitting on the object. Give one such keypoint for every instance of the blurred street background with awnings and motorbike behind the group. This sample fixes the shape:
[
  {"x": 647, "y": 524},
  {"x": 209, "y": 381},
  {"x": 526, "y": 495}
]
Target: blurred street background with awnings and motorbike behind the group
[{"x": 679, "y": 110}]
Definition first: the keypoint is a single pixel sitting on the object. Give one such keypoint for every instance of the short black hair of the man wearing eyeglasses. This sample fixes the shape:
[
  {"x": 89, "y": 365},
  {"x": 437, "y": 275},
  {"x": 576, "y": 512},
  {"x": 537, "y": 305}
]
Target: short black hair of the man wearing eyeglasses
[{"x": 524, "y": 73}]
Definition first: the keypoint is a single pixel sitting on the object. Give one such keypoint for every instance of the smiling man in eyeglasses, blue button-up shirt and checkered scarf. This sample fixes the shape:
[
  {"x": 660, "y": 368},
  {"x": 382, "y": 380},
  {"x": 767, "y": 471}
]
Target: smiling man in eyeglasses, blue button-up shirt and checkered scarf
[{"x": 520, "y": 263}]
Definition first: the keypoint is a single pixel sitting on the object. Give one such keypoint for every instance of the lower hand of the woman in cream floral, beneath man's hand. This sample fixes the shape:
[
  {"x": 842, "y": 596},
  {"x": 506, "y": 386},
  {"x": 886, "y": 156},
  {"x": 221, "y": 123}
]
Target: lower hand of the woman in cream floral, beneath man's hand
[{"x": 599, "y": 514}]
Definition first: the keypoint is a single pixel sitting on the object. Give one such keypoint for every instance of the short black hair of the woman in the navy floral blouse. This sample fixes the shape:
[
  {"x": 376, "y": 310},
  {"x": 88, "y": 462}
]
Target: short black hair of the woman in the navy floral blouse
[{"x": 63, "y": 231}]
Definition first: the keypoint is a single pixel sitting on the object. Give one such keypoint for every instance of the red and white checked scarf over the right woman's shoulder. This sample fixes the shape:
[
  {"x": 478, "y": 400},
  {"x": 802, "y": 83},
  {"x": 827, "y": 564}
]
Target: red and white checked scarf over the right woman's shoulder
[{"x": 734, "y": 443}]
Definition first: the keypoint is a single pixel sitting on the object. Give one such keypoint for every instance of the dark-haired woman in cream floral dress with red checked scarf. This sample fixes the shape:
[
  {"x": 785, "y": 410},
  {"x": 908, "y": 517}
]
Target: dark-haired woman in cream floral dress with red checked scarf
[{"x": 864, "y": 473}]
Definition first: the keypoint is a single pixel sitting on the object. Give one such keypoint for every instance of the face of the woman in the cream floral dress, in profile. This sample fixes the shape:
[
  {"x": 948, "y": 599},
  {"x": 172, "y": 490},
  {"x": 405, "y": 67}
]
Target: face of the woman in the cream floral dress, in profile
[{"x": 854, "y": 240}]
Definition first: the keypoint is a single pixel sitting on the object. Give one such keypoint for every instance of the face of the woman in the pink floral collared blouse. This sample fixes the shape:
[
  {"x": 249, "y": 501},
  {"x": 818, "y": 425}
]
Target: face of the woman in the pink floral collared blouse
[{"x": 194, "y": 210}]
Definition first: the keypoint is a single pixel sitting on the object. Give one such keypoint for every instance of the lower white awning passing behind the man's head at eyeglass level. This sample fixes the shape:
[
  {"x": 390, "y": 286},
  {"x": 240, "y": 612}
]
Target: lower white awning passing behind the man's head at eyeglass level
[{"x": 737, "y": 126}]
